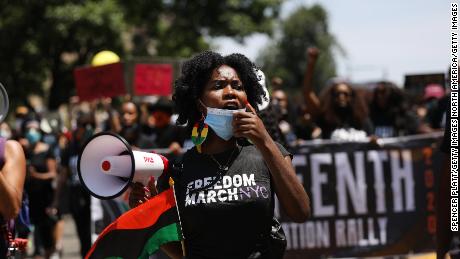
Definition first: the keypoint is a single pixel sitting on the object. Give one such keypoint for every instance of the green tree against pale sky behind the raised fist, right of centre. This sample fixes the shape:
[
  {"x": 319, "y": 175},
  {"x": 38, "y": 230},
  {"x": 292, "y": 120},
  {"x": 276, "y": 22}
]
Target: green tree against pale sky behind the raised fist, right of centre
[{"x": 287, "y": 56}]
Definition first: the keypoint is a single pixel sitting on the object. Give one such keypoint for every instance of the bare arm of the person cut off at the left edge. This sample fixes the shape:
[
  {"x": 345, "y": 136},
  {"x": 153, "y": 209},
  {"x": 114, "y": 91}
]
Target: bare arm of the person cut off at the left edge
[{"x": 12, "y": 178}]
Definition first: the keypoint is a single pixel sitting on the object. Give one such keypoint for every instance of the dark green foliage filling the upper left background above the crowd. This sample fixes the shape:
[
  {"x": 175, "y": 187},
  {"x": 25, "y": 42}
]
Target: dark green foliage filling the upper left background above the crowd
[{"x": 43, "y": 41}]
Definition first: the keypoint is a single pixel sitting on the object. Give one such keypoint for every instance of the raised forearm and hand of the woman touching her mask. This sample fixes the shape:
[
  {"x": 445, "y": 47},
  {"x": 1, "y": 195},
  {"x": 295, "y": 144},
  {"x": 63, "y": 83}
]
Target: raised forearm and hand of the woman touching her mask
[{"x": 288, "y": 188}]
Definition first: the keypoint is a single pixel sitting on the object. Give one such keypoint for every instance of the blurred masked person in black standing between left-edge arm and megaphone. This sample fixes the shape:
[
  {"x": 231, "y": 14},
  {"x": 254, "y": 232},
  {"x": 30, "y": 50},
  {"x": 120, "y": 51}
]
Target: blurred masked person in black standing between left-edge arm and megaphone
[{"x": 42, "y": 171}]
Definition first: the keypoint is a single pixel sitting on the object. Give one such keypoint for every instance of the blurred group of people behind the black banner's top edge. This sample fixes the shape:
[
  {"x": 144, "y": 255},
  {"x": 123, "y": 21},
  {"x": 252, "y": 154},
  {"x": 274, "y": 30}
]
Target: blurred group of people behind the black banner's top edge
[{"x": 346, "y": 113}]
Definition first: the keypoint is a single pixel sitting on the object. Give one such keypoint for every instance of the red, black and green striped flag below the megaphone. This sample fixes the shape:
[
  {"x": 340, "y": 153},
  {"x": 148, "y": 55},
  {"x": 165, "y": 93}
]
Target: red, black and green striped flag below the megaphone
[{"x": 139, "y": 232}]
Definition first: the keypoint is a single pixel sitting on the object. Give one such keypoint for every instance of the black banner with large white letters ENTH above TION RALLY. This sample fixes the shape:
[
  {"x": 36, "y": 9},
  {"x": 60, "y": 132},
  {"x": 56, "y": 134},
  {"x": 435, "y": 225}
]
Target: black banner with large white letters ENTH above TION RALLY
[{"x": 366, "y": 200}]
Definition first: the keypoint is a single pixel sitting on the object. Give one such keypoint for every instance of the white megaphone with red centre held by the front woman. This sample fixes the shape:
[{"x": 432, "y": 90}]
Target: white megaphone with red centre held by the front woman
[{"x": 107, "y": 165}]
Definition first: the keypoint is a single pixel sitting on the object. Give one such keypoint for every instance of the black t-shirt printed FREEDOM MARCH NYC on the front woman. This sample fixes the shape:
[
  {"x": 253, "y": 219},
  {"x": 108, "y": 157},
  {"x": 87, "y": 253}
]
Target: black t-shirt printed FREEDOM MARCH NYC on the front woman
[{"x": 230, "y": 218}]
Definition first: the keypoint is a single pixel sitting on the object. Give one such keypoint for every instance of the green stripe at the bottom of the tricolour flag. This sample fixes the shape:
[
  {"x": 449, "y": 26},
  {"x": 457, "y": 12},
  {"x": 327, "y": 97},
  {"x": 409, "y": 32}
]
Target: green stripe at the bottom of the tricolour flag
[{"x": 165, "y": 234}]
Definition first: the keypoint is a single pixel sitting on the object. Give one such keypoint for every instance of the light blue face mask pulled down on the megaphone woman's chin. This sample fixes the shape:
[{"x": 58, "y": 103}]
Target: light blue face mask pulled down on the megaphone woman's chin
[{"x": 220, "y": 121}]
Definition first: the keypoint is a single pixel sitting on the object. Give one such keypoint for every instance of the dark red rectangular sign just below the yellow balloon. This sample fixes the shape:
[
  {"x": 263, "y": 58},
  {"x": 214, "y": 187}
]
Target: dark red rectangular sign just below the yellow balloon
[{"x": 100, "y": 81}]
